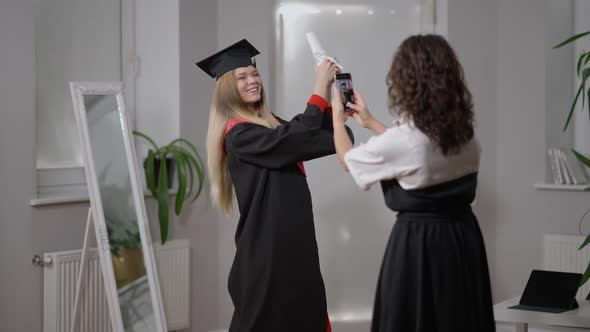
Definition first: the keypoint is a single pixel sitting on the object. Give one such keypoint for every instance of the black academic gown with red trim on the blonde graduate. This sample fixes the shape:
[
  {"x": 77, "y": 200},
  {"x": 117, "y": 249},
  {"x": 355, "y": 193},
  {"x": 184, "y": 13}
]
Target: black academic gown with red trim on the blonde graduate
[{"x": 275, "y": 281}]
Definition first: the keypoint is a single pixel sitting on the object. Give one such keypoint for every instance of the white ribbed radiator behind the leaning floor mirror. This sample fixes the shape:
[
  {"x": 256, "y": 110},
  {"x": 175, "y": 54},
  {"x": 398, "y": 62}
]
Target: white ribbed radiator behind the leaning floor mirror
[{"x": 59, "y": 289}]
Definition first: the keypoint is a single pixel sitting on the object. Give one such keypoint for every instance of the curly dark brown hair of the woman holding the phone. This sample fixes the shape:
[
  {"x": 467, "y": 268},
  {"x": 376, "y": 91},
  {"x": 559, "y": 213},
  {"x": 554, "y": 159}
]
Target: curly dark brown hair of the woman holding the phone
[{"x": 426, "y": 82}]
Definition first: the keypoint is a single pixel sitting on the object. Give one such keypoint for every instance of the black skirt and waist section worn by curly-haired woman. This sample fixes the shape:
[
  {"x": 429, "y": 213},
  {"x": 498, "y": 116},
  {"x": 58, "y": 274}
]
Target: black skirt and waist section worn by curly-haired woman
[{"x": 434, "y": 276}]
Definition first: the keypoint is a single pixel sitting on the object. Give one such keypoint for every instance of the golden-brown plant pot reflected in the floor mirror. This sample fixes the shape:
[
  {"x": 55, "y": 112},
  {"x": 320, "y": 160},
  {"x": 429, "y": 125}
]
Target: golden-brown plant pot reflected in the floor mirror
[{"x": 128, "y": 266}]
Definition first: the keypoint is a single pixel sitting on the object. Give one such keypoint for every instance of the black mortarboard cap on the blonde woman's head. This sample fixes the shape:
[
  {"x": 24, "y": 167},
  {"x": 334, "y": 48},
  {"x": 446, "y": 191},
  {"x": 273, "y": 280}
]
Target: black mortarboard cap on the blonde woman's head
[{"x": 234, "y": 56}]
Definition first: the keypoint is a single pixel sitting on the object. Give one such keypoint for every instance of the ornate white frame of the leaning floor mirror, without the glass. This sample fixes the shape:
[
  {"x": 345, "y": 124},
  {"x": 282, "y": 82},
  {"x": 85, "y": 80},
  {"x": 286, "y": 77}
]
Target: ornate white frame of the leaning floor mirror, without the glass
[{"x": 78, "y": 90}]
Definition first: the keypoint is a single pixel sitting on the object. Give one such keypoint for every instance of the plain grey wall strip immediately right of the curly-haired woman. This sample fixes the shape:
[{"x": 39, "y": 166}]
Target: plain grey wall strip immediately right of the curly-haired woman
[{"x": 472, "y": 29}]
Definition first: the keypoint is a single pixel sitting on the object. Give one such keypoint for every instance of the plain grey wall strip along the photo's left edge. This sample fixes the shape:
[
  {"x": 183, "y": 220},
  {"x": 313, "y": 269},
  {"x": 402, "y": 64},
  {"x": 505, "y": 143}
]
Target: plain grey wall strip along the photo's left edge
[{"x": 17, "y": 140}]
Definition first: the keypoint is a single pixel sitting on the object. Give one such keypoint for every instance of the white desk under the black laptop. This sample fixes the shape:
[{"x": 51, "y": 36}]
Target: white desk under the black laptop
[{"x": 578, "y": 318}]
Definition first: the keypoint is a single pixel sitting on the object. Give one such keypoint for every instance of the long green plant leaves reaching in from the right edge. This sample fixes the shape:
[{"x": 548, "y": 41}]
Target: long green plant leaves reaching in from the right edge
[{"x": 583, "y": 72}]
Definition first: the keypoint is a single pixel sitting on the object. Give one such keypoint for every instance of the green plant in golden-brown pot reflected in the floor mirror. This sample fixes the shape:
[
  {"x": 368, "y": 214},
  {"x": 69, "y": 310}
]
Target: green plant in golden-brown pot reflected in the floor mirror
[{"x": 126, "y": 255}]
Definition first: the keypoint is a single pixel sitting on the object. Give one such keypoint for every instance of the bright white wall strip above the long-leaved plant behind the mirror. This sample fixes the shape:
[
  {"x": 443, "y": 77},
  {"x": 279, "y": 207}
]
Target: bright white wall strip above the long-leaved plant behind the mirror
[{"x": 157, "y": 86}]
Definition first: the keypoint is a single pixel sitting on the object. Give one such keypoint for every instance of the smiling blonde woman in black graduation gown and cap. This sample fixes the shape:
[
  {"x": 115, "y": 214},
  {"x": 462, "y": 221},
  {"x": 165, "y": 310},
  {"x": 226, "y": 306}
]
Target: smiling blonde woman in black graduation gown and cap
[{"x": 275, "y": 281}]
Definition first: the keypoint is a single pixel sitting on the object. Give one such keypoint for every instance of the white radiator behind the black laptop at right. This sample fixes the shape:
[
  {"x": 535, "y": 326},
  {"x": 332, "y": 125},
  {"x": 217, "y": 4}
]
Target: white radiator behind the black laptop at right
[{"x": 560, "y": 253}]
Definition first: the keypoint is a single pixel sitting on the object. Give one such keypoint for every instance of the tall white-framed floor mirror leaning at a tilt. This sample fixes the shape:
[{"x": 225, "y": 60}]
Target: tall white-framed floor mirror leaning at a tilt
[{"x": 118, "y": 208}]
